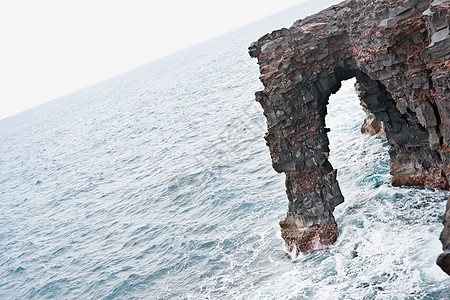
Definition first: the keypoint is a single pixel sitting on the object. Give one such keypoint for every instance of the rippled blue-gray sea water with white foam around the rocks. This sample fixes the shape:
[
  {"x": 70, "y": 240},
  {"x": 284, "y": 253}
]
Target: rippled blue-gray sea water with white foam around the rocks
[{"x": 157, "y": 184}]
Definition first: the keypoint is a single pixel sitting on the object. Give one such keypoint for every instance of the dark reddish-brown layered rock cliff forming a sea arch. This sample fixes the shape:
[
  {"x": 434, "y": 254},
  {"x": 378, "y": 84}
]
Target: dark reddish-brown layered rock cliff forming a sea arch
[{"x": 399, "y": 53}]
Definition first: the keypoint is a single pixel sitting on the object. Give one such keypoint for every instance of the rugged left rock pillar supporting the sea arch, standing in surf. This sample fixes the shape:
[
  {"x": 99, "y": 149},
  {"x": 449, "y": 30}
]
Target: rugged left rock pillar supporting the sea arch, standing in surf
[{"x": 298, "y": 142}]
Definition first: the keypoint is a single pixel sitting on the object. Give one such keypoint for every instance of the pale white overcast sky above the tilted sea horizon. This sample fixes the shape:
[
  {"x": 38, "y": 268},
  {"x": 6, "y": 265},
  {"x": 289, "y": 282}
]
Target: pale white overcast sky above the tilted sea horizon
[{"x": 49, "y": 48}]
